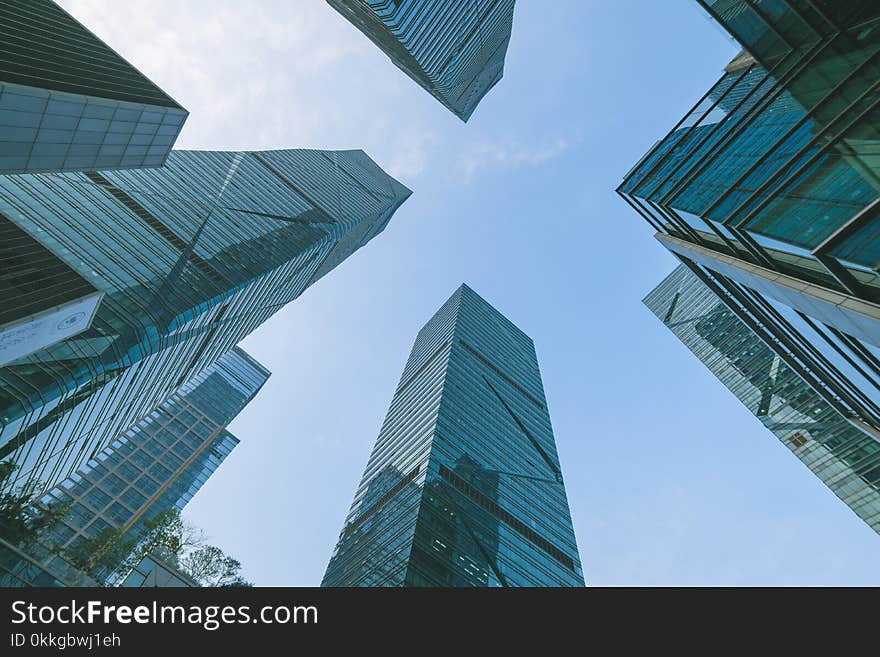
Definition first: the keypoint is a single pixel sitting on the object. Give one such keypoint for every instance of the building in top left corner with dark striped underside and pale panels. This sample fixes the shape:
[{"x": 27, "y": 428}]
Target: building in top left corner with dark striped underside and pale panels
[{"x": 68, "y": 102}]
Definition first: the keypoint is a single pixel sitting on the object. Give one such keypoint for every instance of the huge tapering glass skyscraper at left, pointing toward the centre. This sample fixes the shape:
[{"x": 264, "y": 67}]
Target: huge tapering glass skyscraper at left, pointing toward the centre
[{"x": 189, "y": 258}]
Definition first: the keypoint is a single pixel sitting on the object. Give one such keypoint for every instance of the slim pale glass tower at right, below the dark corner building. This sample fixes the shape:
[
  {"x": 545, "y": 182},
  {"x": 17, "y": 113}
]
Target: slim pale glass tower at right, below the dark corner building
[{"x": 843, "y": 455}]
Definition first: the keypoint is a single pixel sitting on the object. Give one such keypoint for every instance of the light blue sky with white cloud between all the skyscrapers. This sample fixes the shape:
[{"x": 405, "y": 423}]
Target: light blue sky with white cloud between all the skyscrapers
[{"x": 670, "y": 480}]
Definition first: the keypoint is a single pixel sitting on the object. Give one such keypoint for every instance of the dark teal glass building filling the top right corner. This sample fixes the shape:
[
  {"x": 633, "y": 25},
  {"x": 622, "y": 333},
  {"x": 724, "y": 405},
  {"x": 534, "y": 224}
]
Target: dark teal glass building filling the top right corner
[{"x": 778, "y": 165}]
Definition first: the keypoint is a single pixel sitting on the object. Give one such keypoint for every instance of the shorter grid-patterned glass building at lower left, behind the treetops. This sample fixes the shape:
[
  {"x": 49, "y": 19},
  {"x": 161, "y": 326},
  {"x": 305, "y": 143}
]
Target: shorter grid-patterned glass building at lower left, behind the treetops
[{"x": 161, "y": 462}]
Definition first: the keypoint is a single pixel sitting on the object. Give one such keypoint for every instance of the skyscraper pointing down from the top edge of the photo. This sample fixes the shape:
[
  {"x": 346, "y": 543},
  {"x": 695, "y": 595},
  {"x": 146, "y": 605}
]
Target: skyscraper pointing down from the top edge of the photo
[{"x": 453, "y": 48}]
